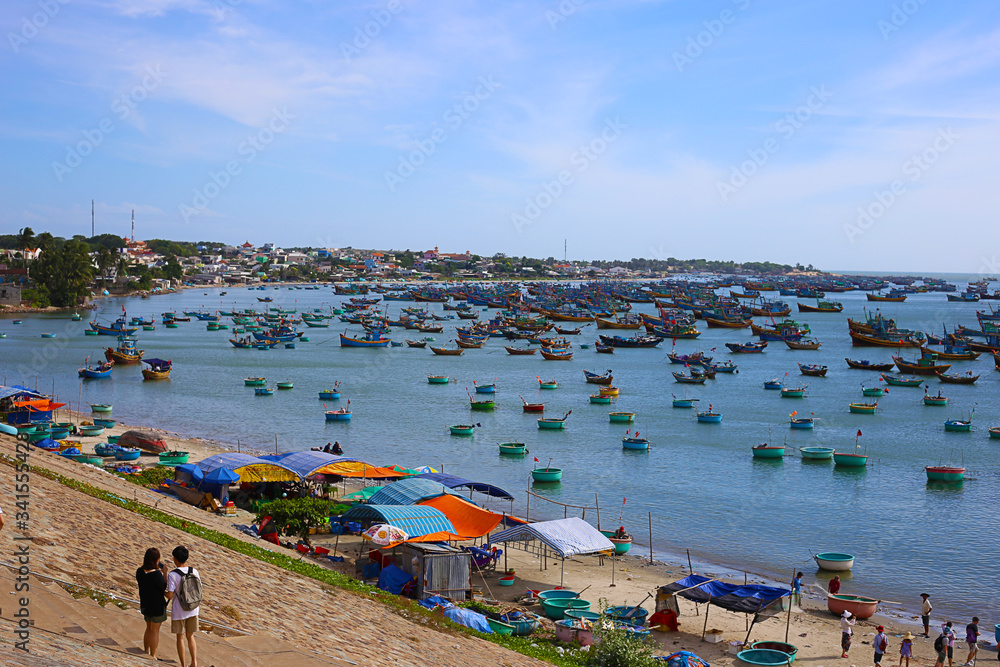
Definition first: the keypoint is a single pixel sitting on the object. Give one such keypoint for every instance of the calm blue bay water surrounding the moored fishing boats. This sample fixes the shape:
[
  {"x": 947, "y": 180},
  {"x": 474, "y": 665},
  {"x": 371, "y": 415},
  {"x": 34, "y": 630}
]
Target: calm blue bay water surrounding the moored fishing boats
[{"x": 705, "y": 491}]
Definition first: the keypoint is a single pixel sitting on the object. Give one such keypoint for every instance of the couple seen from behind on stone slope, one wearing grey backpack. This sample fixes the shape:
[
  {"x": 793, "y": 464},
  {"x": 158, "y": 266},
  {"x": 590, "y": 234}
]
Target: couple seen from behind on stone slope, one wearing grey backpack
[{"x": 181, "y": 587}]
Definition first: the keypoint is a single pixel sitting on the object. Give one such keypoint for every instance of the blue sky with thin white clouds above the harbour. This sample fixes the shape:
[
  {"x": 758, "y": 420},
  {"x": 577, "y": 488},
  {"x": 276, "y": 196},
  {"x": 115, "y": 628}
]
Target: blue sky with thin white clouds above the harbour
[{"x": 848, "y": 134}]
